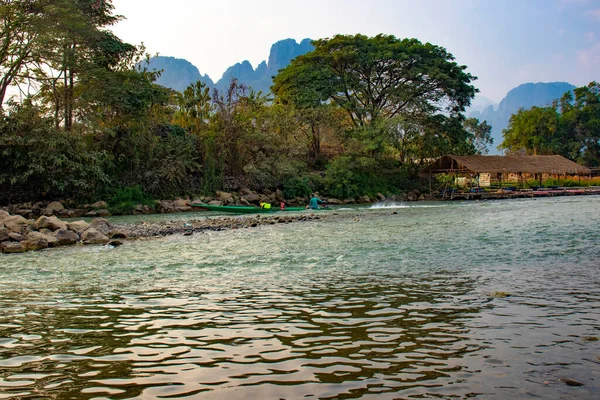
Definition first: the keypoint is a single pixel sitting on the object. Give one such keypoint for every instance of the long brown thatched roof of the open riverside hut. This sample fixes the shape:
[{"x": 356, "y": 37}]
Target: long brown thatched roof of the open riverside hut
[{"x": 515, "y": 164}]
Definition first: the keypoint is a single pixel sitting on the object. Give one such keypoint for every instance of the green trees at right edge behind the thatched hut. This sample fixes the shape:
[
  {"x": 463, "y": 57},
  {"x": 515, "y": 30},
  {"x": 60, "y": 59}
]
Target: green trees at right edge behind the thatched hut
[{"x": 569, "y": 127}]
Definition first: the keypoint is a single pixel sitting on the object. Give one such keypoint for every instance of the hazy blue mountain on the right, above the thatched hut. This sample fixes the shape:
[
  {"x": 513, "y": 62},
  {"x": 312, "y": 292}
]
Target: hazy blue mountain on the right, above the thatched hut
[{"x": 525, "y": 96}]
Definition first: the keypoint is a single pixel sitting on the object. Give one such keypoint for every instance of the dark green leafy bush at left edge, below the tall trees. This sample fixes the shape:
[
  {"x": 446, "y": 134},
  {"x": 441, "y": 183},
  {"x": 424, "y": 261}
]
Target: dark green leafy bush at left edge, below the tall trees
[{"x": 38, "y": 161}]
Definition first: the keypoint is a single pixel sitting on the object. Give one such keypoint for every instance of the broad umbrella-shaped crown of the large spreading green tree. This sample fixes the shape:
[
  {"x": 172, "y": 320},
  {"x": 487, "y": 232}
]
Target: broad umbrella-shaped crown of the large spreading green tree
[{"x": 378, "y": 77}]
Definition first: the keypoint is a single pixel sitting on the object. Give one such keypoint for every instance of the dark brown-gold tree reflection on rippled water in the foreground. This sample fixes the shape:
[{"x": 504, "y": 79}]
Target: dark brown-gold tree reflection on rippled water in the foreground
[{"x": 327, "y": 338}]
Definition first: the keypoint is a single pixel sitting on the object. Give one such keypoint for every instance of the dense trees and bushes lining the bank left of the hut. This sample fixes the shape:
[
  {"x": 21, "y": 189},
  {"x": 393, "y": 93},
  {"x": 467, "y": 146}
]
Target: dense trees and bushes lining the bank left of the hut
[{"x": 358, "y": 115}]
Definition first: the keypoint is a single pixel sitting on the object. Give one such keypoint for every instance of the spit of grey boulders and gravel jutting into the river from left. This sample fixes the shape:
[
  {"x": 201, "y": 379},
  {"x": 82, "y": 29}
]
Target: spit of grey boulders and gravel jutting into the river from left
[{"x": 19, "y": 235}]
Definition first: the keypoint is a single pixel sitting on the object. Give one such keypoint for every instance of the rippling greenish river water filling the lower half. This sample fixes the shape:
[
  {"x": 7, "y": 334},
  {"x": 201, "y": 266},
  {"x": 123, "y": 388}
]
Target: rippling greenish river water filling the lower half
[{"x": 490, "y": 300}]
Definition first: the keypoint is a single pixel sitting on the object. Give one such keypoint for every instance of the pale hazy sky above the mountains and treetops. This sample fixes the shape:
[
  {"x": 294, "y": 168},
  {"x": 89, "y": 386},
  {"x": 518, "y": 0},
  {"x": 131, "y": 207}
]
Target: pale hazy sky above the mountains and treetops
[{"x": 503, "y": 42}]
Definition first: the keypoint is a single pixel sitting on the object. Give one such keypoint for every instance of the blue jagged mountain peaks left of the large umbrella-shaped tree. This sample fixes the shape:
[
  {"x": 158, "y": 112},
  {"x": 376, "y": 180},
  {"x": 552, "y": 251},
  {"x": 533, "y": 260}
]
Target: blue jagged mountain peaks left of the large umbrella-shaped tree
[{"x": 178, "y": 74}]
